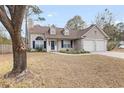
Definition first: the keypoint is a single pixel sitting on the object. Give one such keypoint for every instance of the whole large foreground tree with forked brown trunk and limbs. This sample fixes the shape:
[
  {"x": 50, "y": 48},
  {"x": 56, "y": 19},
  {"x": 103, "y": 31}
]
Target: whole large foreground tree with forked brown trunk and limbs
[{"x": 13, "y": 25}]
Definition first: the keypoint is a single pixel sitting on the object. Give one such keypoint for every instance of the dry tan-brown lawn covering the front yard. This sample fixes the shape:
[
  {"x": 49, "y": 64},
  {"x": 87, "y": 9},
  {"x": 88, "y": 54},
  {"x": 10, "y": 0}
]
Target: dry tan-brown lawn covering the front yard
[{"x": 52, "y": 70}]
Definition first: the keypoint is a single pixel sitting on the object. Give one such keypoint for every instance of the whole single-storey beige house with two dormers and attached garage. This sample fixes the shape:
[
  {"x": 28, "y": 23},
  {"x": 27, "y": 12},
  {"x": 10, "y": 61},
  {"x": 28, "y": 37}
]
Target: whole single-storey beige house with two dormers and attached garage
[{"x": 55, "y": 39}]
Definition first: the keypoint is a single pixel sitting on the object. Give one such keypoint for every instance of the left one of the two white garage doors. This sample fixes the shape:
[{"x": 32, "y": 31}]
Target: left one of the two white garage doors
[{"x": 89, "y": 45}]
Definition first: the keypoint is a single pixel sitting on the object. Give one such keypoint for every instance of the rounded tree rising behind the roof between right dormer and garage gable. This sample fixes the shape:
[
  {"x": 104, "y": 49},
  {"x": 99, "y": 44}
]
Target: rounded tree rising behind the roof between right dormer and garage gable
[{"x": 76, "y": 23}]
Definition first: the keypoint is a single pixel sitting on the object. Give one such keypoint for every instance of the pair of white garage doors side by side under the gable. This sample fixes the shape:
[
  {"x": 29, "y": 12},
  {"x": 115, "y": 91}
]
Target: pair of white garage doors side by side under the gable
[{"x": 94, "y": 45}]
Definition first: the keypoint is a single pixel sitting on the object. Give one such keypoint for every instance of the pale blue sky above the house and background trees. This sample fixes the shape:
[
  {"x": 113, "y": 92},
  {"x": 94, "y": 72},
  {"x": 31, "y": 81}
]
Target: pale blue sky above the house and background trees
[{"x": 60, "y": 14}]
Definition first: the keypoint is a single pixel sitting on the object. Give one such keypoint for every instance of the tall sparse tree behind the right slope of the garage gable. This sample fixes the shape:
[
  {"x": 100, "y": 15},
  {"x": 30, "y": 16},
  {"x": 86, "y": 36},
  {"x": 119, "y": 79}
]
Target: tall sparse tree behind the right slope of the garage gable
[{"x": 105, "y": 20}]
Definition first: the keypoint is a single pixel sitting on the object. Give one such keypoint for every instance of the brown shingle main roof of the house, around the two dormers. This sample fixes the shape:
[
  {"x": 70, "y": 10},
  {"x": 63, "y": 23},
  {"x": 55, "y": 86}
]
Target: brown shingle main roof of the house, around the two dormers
[{"x": 37, "y": 29}]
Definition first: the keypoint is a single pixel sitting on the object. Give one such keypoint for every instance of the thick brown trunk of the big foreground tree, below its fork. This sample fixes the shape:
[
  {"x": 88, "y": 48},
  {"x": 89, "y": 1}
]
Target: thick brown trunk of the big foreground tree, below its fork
[{"x": 19, "y": 55}]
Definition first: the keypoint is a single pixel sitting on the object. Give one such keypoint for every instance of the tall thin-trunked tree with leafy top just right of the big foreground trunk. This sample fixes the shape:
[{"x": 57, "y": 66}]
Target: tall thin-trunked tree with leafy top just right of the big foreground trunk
[{"x": 32, "y": 10}]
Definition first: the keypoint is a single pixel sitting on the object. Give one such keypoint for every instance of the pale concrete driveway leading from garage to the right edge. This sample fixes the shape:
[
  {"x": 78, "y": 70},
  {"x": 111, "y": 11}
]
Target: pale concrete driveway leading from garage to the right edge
[{"x": 111, "y": 54}]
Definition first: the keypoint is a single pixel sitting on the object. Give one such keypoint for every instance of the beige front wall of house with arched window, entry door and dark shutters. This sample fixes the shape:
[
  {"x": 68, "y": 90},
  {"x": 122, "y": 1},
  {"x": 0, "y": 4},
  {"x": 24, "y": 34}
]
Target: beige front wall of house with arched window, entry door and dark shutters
[{"x": 51, "y": 45}]
